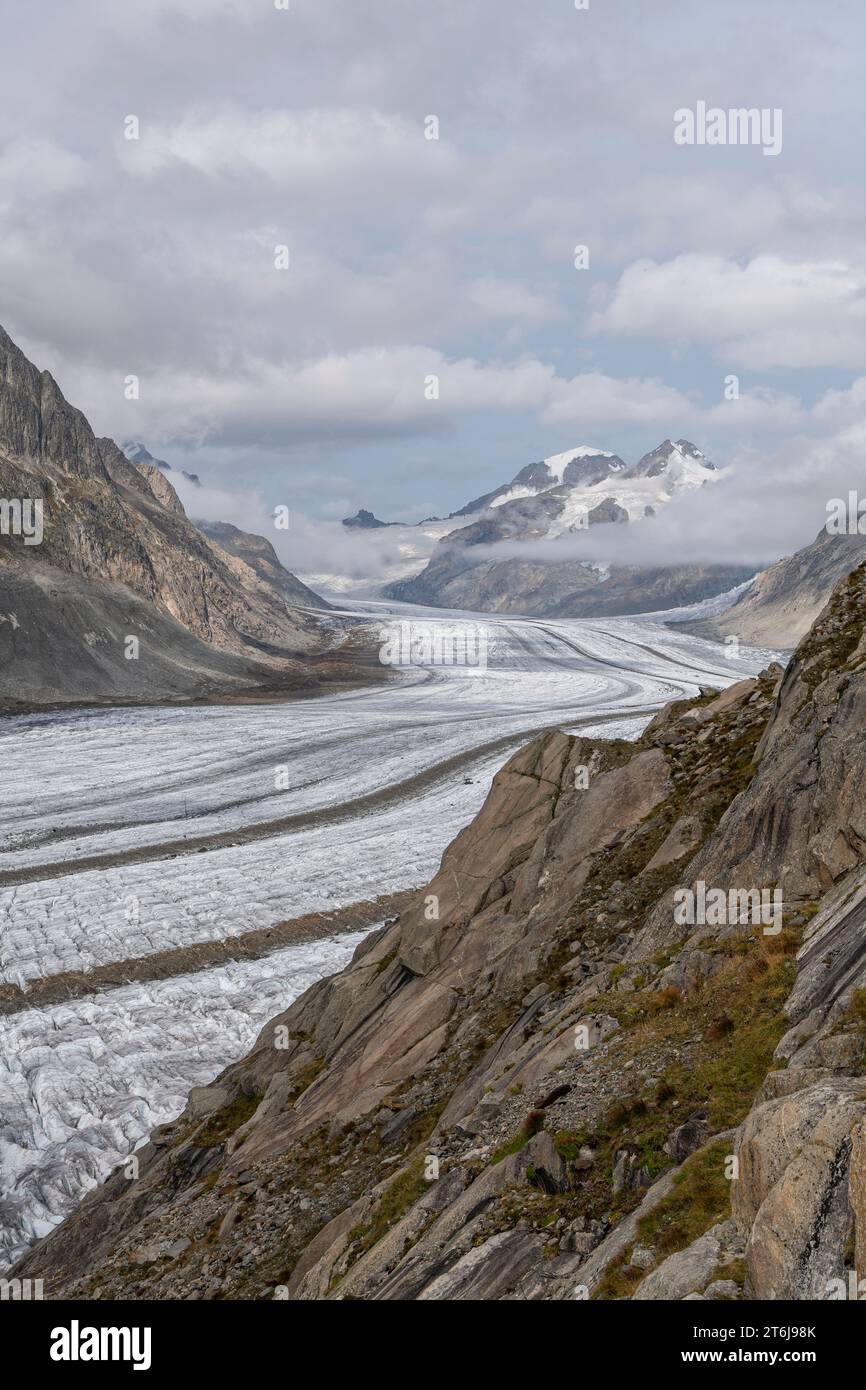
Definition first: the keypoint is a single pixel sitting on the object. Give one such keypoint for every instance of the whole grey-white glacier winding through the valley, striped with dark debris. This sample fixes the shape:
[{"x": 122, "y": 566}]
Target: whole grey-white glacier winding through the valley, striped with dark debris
[{"x": 375, "y": 785}]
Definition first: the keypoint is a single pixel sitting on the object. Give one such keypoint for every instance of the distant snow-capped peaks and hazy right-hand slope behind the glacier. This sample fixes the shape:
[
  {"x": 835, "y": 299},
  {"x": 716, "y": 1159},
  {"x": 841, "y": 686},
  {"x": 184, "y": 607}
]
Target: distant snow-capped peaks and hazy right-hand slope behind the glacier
[{"x": 452, "y": 565}]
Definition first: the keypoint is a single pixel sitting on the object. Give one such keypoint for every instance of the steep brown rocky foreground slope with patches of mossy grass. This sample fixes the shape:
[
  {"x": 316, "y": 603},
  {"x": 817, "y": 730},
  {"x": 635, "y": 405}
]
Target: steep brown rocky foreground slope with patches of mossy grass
[{"x": 475, "y": 1107}]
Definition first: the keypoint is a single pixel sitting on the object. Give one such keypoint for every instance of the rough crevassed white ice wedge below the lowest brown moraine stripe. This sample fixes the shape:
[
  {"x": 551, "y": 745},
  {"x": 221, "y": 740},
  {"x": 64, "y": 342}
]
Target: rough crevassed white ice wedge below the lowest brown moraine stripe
[{"x": 84, "y": 1084}]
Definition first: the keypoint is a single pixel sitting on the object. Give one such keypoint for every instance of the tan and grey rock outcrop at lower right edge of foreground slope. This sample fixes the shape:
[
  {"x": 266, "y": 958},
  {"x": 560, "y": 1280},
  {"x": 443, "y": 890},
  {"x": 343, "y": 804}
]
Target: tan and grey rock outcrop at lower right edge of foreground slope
[{"x": 800, "y": 1193}]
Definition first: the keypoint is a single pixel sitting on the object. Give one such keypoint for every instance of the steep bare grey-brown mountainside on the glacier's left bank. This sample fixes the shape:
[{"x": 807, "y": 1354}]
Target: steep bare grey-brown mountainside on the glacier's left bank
[{"x": 106, "y": 523}]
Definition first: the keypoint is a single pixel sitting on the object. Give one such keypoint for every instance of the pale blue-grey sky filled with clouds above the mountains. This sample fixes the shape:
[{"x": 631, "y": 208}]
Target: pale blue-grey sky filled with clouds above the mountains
[{"x": 452, "y": 258}]
